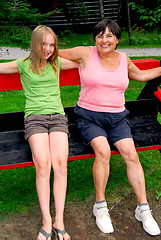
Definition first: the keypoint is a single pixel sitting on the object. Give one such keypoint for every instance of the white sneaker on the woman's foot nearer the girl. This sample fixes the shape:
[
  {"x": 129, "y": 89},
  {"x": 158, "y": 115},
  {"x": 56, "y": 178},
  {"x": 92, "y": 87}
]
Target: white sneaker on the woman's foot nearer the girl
[{"x": 103, "y": 220}]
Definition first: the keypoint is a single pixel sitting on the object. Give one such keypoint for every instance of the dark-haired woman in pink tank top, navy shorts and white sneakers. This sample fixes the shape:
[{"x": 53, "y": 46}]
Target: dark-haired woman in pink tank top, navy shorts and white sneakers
[{"x": 101, "y": 117}]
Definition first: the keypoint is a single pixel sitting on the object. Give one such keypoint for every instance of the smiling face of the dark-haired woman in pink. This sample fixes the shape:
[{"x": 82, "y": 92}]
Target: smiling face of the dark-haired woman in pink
[{"x": 106, "y": 43}]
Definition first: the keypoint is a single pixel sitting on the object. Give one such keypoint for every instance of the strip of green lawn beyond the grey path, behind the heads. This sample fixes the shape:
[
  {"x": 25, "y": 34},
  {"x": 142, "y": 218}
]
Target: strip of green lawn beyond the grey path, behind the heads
[{"x": 139, "y": 39}]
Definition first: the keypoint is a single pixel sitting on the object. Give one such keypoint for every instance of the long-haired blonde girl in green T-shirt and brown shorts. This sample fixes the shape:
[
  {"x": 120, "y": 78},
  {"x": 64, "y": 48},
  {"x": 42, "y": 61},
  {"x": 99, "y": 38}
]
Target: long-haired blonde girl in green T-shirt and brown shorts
[{"x": 46, "y": 126}]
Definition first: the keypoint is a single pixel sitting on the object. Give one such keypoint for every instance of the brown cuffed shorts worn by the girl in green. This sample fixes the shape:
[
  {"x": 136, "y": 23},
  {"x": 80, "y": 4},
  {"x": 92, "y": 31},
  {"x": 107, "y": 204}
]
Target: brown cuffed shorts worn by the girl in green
[{"x": 42, "y": 123}]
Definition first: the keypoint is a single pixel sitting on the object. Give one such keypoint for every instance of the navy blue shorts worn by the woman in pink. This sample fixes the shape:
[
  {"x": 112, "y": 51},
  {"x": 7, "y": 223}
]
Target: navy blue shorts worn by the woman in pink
[{"x": 113, "y": 126}]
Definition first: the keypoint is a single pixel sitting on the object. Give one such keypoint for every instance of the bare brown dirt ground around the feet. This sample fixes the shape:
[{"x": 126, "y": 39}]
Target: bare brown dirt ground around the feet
[{"x": 80, "y": 222}]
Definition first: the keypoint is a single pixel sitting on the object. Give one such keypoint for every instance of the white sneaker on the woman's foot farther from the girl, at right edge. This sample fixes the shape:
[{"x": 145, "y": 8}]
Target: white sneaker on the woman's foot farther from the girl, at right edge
[{"x": 144, "y": 215}]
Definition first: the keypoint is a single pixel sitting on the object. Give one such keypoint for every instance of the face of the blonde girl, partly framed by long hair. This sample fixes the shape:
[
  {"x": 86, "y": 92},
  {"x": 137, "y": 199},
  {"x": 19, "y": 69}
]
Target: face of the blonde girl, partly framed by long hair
[{"x": 48, "y": 46}]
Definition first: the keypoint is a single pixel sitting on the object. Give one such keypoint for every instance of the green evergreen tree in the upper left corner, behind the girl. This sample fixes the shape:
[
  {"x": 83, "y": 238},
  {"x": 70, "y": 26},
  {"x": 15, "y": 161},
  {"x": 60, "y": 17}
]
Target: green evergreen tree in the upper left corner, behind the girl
[{"x": 16, "y": 17}]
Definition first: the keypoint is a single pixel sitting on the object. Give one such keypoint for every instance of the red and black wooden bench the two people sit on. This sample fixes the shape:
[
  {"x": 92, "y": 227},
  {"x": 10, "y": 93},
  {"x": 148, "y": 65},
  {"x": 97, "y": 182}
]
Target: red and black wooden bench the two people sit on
[{"x": 15, "y": 151}]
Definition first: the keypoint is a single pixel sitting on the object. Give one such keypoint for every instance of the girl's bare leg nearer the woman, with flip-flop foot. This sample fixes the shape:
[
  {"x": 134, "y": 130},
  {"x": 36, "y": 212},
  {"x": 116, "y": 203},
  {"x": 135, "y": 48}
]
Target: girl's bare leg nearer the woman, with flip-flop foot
[{"x": 59, "y": 155}]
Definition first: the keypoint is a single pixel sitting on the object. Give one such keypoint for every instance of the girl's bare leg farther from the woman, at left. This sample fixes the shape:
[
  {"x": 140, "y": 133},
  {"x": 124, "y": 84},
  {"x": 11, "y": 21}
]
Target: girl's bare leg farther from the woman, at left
[{"x": 39, "y": 144}]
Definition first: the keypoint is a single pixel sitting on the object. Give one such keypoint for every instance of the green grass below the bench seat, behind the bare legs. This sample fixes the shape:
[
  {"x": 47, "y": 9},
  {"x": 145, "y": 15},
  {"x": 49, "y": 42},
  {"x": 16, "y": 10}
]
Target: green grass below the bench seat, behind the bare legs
[{"x": 19, "y": 192}]
